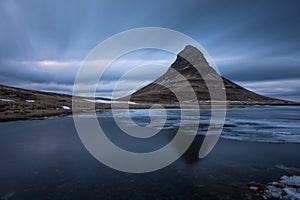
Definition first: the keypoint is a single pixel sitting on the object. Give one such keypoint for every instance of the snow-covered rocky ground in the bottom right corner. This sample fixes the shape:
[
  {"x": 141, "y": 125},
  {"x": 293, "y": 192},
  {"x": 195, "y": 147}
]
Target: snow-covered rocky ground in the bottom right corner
[{"x": 287, "y": 188}]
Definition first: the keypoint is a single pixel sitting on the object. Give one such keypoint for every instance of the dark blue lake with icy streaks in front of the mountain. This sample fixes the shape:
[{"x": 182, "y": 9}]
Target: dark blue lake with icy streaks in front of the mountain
[{"x": 45, "y": 159}]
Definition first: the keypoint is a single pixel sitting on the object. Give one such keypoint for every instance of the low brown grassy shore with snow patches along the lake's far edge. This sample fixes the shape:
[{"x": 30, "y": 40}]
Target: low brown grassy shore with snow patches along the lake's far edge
[{"x": 22, "y": 104}]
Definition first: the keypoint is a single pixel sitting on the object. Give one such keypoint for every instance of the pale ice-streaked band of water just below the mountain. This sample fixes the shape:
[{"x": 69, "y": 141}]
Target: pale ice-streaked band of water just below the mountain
[{"x": 272, "y": 124}]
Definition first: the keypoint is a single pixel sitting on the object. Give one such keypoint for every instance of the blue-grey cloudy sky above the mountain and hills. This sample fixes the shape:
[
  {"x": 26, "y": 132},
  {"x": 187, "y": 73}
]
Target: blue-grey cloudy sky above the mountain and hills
[{"x": 253, "y": 43}]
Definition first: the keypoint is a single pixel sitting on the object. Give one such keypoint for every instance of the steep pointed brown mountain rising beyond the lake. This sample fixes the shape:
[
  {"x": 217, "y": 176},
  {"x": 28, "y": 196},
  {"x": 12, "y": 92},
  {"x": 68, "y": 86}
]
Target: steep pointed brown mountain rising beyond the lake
[{"x": 159, "y": 92}]
